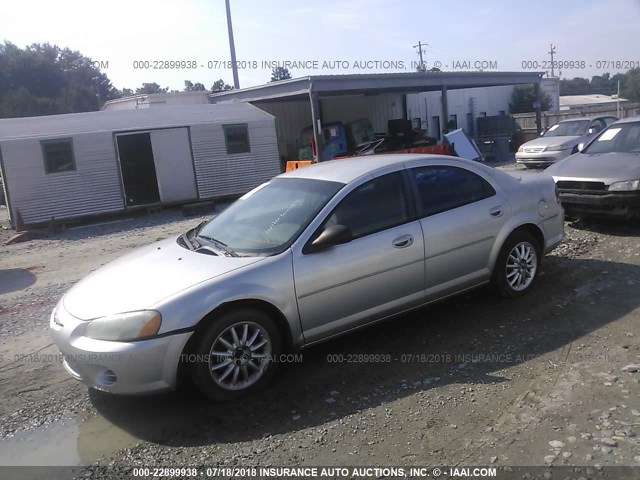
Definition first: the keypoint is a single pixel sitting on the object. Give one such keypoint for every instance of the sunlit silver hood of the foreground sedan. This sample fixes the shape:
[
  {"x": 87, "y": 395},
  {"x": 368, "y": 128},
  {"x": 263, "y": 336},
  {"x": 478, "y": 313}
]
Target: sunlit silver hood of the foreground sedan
[{"x": 144, "y": 277}]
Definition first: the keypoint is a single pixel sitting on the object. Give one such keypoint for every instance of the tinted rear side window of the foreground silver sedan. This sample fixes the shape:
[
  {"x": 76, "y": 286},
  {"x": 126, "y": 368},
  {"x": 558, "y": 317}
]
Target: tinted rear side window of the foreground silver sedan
[{"x": 442, "y": 188}]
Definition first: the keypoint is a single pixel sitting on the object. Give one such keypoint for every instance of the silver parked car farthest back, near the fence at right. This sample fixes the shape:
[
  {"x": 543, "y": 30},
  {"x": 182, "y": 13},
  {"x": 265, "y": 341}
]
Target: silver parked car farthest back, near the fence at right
[{"x": 561, "y": 140}]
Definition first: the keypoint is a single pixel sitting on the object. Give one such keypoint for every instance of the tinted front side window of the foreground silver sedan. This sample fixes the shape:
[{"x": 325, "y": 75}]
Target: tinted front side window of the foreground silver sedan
[{"x": 373, "y": 206}]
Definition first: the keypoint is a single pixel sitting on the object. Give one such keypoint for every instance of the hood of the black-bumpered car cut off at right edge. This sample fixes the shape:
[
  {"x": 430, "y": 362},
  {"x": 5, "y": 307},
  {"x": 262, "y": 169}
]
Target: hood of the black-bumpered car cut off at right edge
[{"x": 601, "y": 167}]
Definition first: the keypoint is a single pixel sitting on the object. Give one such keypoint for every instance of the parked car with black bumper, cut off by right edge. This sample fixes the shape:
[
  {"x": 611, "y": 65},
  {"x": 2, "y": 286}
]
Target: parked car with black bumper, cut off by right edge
[{"x": 604, "y": 178}]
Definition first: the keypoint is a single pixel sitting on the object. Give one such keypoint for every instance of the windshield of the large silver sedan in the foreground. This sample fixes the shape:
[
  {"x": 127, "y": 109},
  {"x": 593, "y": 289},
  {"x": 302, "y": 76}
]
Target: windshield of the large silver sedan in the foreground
[{"x": 269, "y": 218}]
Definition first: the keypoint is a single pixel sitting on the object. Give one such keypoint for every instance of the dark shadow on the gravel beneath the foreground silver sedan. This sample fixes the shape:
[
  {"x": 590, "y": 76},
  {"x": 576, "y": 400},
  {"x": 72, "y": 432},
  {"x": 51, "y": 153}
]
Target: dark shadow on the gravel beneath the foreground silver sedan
[{"x": 553, "y": 315}]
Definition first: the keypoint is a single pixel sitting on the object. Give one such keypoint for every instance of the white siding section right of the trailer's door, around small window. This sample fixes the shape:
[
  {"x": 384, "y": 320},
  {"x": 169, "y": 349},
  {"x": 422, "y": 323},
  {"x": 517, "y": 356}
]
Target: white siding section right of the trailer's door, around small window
[{"x": 219, "y": 174}]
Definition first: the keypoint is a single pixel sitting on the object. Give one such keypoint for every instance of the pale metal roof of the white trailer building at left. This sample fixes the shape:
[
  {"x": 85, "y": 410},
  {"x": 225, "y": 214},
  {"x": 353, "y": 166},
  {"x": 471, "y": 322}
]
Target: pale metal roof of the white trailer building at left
[{"x": 123, "y": 120}]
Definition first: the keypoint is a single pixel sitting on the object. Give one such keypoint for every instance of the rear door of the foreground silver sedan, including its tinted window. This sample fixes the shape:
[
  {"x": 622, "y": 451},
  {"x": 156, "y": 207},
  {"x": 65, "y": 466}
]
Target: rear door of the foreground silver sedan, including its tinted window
[{"x": 461, "y": 213}]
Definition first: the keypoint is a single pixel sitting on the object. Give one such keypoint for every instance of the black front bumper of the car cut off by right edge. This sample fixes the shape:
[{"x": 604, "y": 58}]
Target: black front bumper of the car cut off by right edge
[{"x": 601, "y": 204}]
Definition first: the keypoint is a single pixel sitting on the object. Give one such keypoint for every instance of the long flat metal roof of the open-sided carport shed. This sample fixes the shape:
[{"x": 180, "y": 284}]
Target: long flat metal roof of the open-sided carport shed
[{"x": 375, "y": 83}]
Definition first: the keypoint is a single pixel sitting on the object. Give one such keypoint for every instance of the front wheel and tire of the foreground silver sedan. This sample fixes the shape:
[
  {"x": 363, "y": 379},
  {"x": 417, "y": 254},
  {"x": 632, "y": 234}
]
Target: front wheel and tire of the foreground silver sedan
[{"x": 234, "y": 355}]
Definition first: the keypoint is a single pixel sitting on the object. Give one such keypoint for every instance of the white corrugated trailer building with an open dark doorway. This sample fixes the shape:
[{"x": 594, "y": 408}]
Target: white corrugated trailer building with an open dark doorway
[{"x": 85, "y": 164}]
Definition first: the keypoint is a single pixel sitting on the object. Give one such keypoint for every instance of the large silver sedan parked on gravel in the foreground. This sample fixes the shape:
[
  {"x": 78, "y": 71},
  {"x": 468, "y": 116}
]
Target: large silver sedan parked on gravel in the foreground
[{"x": 309, "y": 255}]
